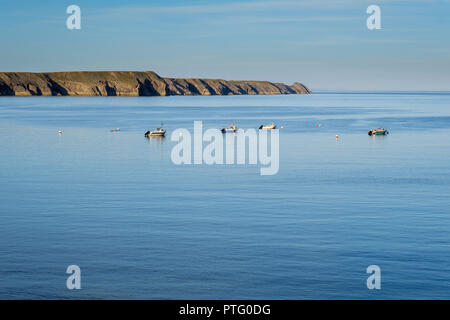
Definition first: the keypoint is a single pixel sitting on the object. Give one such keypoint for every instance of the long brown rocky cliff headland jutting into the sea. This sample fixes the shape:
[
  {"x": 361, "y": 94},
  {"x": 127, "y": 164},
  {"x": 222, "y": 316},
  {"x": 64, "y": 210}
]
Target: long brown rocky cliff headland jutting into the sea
[{"x": 130, "y": 83}]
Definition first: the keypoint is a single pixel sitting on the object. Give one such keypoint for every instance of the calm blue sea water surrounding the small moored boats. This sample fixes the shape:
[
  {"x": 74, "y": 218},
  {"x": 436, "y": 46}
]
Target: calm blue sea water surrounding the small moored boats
[{"x": 140, "y": 226}]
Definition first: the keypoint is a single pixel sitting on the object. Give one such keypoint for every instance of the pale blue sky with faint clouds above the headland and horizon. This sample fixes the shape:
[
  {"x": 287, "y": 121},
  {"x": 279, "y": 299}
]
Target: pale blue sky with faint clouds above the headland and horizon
[{"x": 324, "y": 44}]
